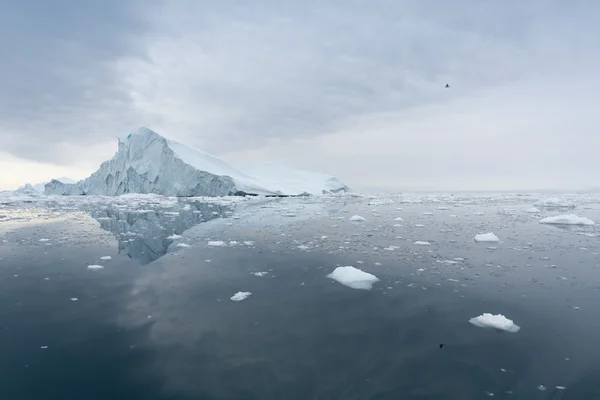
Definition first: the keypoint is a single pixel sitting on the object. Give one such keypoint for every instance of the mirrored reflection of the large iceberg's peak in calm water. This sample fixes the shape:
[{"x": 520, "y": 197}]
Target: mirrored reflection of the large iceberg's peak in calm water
[{"x": 145, "y": 235}]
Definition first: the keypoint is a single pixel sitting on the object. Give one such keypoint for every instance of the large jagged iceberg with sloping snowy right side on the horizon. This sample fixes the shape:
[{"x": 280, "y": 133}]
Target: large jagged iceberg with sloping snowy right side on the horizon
[{"x": 149, "y": 163}]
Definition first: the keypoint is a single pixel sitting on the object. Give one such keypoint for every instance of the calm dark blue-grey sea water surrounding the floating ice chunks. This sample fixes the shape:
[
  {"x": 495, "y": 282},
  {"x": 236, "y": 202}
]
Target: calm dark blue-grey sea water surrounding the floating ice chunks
[{"x": 157, "y": 322}]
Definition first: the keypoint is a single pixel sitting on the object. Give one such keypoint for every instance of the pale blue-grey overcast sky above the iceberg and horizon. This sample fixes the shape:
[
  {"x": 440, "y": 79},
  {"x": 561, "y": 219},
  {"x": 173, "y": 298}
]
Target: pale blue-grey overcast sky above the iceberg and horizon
[{"x": 353, "y": 88}]
